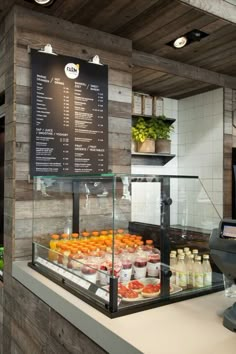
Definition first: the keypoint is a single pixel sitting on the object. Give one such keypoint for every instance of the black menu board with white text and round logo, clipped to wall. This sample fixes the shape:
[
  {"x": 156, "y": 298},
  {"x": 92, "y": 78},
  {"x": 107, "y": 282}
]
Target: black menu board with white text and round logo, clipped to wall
[{"x": 69, "y": 116}]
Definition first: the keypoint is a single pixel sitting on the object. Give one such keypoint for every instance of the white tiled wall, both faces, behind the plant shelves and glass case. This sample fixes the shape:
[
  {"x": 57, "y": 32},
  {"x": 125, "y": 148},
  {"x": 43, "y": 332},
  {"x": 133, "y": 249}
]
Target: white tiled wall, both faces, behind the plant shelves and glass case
[{"x": 197, "y": 142}]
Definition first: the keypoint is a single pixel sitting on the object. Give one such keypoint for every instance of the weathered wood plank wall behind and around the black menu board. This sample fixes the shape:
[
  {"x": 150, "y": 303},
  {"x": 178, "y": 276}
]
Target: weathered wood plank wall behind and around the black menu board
[{"x": 34, "y": 30}]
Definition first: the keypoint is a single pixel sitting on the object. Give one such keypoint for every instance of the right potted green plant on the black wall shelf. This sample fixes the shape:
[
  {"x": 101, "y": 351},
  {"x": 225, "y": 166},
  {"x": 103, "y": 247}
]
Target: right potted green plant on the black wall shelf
[{"x": 163, "y": 131}]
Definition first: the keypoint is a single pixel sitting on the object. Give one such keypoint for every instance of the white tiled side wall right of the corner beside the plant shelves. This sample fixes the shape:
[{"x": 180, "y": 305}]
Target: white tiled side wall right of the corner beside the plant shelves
[{"x": 200, "y": 150}]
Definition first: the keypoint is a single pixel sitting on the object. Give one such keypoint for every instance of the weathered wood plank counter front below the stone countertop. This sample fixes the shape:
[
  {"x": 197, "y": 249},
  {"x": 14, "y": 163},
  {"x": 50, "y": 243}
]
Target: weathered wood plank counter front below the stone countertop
[{"x": 32, "y": 327}]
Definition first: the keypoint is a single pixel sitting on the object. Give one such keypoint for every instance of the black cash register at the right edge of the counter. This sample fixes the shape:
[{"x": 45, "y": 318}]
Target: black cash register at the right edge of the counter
[{"x": 223, "y": 251}]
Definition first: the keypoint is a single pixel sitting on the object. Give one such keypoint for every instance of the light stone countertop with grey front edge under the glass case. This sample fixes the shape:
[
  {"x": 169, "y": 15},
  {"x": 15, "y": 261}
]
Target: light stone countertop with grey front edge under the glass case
[{"x": 188, "y": 327}]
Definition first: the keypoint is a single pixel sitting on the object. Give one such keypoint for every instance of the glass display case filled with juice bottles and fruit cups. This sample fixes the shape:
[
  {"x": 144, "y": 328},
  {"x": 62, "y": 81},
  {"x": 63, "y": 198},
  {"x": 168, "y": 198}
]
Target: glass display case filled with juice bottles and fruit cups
[{"x": 125, "y": 243}]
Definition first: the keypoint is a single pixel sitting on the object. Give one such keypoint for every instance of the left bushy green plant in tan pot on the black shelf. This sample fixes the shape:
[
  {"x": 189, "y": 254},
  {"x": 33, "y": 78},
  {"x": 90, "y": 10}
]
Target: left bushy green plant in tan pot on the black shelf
[{"x": 144, "y": 135}]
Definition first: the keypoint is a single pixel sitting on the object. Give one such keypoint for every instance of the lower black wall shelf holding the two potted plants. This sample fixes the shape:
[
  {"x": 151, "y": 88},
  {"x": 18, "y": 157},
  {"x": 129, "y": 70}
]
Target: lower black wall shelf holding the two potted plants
[{"x": 141, "y": 158}]
